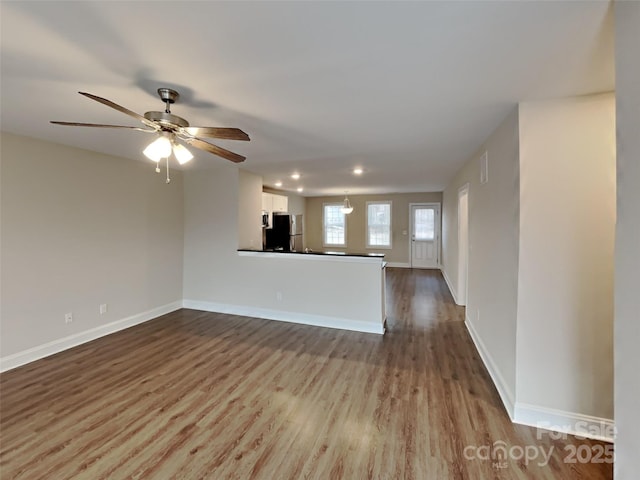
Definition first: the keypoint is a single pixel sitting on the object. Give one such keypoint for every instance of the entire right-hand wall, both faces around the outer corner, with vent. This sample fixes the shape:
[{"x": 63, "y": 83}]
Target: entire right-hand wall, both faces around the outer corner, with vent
[{"x": 541, "y": 233}]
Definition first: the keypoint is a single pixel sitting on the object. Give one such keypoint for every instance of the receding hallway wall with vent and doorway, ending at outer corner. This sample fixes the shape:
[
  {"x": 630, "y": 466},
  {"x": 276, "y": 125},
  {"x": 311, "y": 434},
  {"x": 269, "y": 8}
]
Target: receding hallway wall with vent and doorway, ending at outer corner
[{"x": 493, "y": 252}]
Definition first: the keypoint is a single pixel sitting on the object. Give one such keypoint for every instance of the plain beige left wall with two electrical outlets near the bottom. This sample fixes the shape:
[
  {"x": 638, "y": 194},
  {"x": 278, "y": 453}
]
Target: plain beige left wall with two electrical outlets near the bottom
[{"x": 80, "y": 229}]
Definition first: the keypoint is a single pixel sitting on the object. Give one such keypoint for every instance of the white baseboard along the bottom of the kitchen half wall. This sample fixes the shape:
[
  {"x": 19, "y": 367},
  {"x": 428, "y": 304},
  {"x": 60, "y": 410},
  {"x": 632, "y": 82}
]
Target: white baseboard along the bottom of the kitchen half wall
[{"x": 282, "y": 316}]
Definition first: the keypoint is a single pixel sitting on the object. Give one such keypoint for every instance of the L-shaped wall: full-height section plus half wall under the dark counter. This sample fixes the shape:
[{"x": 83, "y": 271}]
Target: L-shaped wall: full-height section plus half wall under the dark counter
[{"x": 217, "y": 278}]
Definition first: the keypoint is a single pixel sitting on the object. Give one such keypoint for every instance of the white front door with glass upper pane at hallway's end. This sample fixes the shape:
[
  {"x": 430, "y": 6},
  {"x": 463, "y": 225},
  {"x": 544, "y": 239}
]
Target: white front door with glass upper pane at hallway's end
[{"x": 425, "y": 235}]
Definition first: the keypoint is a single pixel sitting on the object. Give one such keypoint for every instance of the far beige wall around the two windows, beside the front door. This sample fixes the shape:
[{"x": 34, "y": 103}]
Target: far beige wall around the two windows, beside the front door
[{"x": 356, "y": 223}]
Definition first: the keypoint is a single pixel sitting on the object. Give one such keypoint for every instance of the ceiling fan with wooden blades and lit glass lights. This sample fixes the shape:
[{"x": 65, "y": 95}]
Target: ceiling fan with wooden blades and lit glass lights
[{"x": 170, "y": 128}]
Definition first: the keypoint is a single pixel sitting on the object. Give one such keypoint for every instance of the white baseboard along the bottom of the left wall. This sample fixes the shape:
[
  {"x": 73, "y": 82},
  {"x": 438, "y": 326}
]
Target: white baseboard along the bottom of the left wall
[{"x": 26, "y": 356}]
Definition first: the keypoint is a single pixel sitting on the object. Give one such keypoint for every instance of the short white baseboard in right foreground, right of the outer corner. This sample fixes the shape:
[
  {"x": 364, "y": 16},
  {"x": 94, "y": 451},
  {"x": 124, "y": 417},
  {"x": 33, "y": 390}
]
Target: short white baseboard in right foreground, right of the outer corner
[{"x": 582, "y": 426}]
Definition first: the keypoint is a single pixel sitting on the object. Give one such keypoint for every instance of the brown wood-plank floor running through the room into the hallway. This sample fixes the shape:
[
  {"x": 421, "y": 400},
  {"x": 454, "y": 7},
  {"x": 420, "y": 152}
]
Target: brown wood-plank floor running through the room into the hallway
[{"x": 195, "y": 395}]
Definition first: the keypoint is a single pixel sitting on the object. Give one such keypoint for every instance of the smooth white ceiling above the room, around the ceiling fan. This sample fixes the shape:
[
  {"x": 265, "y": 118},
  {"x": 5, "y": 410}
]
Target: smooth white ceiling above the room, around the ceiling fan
[{"x": 407, "y": 90}]
